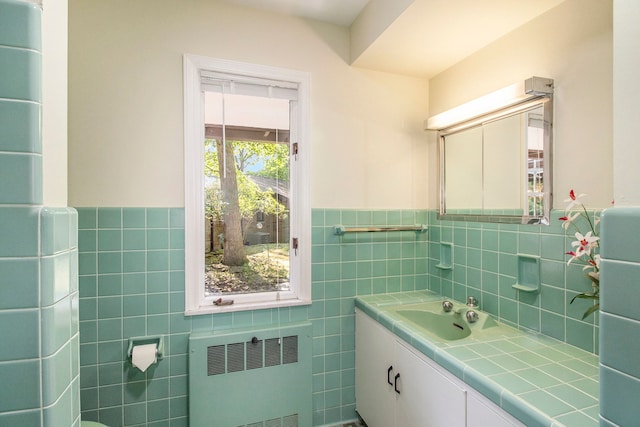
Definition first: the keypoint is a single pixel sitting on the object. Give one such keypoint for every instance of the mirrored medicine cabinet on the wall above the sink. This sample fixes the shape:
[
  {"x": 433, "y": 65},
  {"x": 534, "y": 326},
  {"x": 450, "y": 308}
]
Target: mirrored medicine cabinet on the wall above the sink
[{"x": 497, "y": 167}]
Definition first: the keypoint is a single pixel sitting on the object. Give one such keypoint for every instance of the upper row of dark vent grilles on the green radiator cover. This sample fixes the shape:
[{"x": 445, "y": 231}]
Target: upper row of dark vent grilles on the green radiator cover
[{"x": 227, "y": 358}]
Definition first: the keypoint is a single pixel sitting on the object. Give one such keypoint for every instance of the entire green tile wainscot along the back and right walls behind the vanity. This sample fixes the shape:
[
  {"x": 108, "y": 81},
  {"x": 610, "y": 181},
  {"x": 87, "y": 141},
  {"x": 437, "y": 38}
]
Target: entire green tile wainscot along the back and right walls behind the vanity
[{"x": 131, "y": 265}]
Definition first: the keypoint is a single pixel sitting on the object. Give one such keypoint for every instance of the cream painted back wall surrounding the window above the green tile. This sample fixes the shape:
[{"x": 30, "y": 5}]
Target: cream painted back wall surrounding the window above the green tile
[{"x": 125, "y": 103}]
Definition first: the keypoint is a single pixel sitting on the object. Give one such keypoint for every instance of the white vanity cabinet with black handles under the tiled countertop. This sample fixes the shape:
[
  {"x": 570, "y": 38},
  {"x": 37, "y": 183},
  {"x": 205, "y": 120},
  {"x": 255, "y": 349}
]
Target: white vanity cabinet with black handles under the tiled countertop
[{"x": 398, "y": 386}]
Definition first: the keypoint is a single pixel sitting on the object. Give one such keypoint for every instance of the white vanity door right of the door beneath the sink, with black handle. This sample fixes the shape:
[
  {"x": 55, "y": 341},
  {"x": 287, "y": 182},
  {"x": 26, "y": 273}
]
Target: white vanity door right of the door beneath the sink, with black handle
[{"x": 427, "y": 398}]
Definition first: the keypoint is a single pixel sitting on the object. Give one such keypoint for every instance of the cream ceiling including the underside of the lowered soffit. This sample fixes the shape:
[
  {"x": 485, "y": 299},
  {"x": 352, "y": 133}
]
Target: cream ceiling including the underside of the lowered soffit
[{"x": 427, "y": 37}]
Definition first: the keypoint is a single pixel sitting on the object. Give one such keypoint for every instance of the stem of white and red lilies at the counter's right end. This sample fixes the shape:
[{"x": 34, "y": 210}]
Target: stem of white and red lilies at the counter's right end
[{"x": 585, "y": 247}]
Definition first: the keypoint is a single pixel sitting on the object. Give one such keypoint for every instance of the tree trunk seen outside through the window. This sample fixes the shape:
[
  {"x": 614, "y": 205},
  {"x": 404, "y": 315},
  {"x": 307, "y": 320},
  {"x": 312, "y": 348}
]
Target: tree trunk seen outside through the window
[{"x": 233, "y": 254}]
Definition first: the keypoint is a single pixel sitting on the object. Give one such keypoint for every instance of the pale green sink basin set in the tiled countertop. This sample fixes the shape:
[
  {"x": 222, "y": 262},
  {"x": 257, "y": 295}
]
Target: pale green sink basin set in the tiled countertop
[{"x": 448, "y": 326}]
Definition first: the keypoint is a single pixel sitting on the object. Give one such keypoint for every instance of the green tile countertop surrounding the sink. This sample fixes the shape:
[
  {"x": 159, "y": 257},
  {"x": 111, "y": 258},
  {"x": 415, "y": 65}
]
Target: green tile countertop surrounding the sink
[{"x": 537, "y": 379}]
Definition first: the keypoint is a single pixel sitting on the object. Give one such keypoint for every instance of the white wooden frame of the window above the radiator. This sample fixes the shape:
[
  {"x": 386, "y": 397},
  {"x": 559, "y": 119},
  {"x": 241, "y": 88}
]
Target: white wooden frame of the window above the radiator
[{"x": 300, "y": 216}]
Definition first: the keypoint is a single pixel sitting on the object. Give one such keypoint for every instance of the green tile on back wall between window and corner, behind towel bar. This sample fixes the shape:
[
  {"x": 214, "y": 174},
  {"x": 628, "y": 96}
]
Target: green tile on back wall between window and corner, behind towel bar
[{"x": 344, "y": 267}]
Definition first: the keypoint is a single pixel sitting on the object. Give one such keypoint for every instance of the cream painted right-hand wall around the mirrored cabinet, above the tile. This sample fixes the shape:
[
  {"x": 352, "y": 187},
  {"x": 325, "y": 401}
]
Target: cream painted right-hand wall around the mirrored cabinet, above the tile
[{"x": 571, "y": 44}]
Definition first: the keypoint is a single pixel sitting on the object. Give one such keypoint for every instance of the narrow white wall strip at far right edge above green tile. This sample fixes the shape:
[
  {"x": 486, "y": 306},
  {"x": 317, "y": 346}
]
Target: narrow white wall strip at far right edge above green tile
[{"x": 626, "y": 174}]
